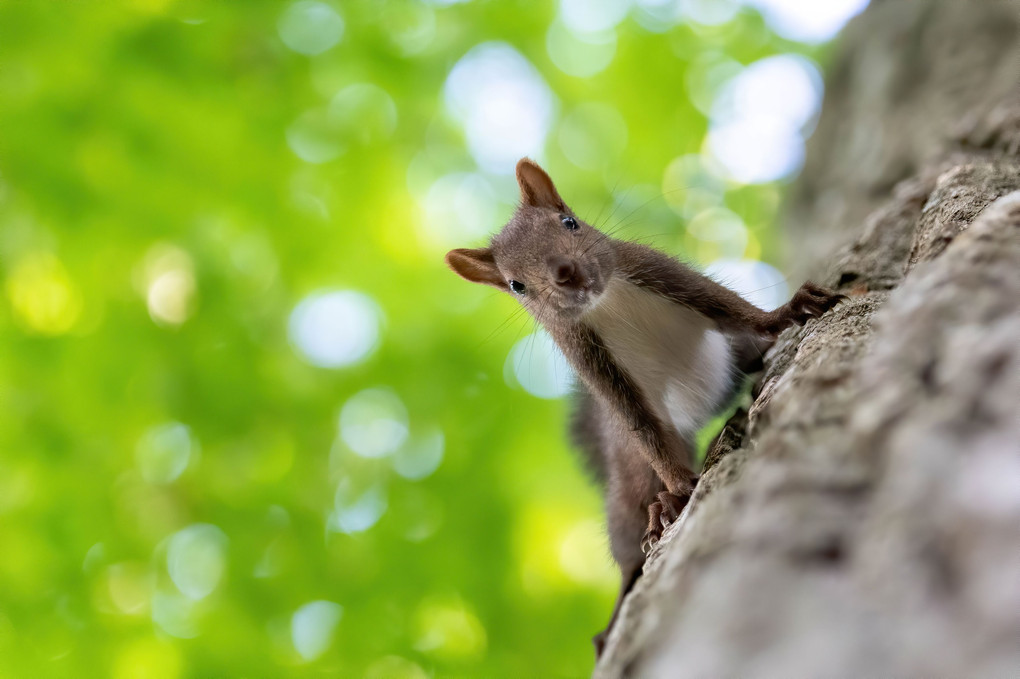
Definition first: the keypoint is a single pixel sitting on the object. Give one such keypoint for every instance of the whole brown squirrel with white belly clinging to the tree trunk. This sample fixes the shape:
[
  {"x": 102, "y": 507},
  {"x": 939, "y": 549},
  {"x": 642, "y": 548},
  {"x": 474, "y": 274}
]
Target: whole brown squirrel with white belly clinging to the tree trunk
[{"x": 659, "y": 349}]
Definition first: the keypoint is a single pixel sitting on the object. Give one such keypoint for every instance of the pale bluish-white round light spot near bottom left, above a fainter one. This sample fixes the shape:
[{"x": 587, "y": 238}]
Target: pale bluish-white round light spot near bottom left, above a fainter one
[{"x": 196, "y": 559}]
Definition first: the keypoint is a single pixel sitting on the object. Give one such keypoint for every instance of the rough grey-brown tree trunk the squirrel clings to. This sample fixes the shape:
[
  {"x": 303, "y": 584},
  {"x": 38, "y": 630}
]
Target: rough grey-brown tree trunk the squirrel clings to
[{"x": 862, "y": 518}]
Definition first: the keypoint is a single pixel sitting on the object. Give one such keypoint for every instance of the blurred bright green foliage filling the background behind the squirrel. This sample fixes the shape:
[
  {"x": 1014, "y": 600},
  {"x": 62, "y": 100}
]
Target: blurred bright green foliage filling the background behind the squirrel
[{"x": 150, "y": 139}]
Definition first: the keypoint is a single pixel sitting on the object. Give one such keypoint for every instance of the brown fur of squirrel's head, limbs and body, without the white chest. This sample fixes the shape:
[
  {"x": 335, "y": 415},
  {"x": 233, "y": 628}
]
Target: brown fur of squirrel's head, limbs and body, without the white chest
[{"x": 566, "y": 266}]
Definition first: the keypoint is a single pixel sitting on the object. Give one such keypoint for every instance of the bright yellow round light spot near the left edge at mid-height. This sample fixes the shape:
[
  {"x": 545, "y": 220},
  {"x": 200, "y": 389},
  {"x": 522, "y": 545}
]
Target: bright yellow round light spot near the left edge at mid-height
[{"x": 42, "y": 295}]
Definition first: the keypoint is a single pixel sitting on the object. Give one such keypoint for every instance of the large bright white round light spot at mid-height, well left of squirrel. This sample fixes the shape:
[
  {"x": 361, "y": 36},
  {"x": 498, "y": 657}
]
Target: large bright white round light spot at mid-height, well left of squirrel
[{"x": 337, "y": 329}]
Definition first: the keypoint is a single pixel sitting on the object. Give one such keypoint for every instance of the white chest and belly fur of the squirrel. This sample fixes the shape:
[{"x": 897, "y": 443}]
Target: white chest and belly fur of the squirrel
[{"x": 682, "y": 364}]
